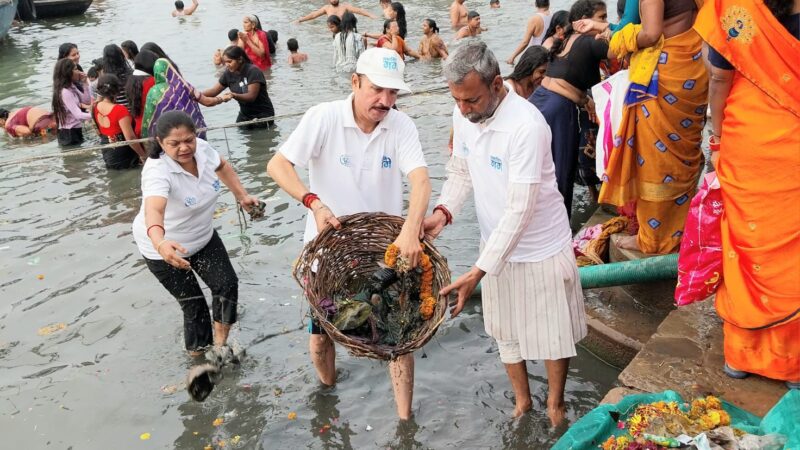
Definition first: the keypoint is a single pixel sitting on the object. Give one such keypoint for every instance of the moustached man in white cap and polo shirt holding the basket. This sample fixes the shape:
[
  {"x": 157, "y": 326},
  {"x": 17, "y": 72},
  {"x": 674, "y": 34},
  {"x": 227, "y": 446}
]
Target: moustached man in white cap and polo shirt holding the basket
[{"x": 357, "y": 151}]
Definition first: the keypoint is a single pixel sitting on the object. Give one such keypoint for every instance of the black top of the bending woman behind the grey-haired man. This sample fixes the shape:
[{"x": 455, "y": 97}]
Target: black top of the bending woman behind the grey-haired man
[{"x": 580, "y": 67}]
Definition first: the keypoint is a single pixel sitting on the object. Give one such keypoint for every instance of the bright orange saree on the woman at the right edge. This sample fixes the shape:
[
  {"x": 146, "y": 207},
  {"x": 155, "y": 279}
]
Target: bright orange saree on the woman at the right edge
[{"x": 759, "y": 173}]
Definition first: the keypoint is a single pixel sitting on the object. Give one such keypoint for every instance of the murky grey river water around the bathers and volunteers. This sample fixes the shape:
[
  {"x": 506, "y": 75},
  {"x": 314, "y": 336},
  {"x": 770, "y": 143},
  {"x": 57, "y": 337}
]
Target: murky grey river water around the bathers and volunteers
[{"x": 111, "y": 366}]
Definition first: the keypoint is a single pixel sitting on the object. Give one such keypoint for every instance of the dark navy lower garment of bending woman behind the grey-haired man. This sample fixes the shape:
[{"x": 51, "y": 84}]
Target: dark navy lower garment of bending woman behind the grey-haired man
[{"x": 561, "y": 114}]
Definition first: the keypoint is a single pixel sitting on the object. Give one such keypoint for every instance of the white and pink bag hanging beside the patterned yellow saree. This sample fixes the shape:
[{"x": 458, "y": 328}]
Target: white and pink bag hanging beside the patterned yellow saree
[{"x": 609, "y": 99}]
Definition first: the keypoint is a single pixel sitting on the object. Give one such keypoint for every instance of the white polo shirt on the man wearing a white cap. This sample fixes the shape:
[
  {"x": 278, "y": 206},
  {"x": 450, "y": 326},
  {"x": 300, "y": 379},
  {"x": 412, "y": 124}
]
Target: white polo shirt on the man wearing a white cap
[{"x": 351, "y": 171}]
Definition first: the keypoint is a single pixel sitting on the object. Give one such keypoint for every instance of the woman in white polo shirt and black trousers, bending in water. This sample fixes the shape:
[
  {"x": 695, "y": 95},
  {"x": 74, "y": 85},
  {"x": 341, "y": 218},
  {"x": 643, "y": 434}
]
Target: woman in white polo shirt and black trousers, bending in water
[{"x": 174, "y": 232}]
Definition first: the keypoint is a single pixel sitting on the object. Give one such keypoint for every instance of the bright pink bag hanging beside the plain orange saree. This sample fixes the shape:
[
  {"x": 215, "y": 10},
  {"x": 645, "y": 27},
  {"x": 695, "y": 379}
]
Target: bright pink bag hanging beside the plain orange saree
[{"x": 700, "y": 258}]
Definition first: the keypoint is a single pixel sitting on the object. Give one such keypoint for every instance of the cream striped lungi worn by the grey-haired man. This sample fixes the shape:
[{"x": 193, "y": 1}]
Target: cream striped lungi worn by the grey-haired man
[{"x": 538, "y": 304}]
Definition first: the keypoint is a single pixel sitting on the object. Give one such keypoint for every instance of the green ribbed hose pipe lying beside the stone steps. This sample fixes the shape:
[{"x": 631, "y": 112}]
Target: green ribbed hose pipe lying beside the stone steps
[{"x": 656, "y": 268}]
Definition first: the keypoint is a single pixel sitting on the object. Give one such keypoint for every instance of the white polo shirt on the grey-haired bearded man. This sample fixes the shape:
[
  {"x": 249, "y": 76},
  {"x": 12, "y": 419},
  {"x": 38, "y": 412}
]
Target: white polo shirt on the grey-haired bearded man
[{"x": 514, "y": 147}]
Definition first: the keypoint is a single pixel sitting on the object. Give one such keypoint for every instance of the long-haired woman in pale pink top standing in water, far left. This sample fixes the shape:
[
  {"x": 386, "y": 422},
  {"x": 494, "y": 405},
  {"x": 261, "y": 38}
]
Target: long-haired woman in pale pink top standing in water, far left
[{"x": 70, "y": 104}]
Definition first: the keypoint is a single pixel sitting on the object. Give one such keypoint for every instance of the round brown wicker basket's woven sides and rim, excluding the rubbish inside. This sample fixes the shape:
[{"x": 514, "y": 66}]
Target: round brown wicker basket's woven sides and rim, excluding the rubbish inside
[{"x": 344, "y": 259}]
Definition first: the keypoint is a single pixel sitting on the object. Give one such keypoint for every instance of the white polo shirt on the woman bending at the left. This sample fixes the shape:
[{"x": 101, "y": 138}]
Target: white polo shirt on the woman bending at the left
[{"x": 191, "y": 200}]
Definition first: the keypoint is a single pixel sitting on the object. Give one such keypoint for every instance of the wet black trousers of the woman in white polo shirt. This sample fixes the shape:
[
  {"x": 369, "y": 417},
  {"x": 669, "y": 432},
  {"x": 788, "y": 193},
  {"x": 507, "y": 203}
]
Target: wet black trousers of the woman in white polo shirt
[{"x": 214, "y": 267}]
